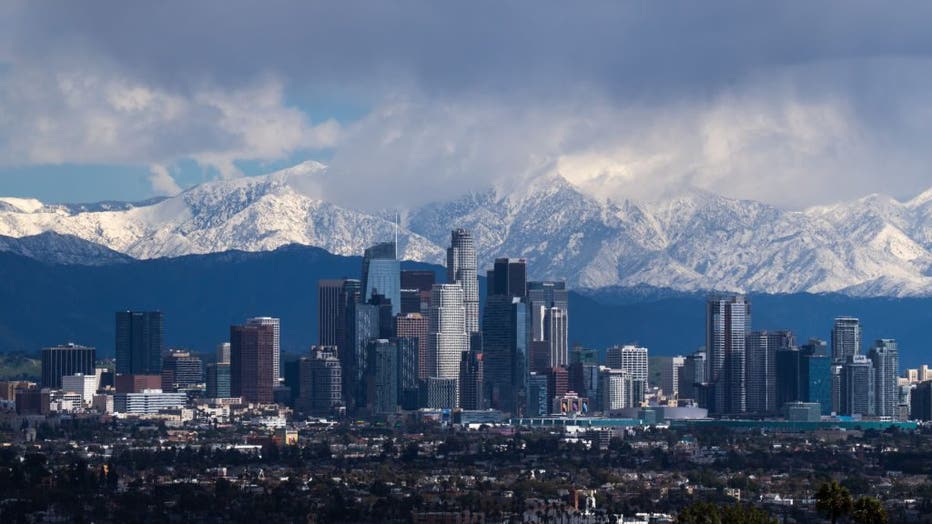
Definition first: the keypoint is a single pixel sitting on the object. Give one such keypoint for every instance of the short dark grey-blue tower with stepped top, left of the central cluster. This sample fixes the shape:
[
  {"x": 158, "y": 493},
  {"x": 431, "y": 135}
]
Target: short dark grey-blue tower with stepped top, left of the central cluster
[{"x": 321, "y": 382}]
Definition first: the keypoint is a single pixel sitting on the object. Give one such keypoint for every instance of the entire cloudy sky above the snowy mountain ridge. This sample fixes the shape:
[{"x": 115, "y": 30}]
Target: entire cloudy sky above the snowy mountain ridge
[{"x": 790, "y": 103}]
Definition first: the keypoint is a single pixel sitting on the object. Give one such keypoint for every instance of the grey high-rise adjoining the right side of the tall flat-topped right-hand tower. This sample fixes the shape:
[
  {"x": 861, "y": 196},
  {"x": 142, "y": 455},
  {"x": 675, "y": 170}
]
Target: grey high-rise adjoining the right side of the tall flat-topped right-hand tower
[{"x": 760, "y": 372}]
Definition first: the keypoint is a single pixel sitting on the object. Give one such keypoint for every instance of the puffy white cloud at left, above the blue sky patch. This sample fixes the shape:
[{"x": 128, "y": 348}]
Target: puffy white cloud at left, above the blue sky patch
[{"x": 102, "y": 117}]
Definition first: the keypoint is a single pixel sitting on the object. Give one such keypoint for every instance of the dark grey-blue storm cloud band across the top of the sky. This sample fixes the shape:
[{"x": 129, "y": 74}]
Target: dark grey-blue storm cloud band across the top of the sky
[{"x": 627, "y": 48}]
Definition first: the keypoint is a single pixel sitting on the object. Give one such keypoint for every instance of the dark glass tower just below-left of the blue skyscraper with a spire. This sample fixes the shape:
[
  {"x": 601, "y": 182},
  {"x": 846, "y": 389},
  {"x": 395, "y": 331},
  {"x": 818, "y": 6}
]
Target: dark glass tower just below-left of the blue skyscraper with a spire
[{"x": 362, "y": 324}]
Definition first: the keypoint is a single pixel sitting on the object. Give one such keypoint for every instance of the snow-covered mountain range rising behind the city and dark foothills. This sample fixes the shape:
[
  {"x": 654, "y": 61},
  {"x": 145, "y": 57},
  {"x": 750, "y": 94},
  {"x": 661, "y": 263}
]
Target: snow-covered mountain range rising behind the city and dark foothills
[{"x": 874, "y": 246}]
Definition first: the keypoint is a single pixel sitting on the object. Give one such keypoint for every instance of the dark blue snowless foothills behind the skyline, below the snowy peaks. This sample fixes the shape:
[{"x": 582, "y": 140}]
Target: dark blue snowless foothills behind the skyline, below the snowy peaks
[{"x": 44, "y": 303}]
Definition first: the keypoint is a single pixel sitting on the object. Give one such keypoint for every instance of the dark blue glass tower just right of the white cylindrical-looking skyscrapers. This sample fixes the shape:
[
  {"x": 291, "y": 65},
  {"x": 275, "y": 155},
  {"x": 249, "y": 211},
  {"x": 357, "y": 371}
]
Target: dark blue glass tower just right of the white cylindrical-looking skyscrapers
[{"x": 504, "y": 345}]
